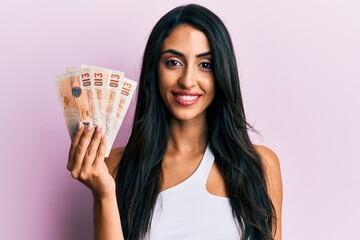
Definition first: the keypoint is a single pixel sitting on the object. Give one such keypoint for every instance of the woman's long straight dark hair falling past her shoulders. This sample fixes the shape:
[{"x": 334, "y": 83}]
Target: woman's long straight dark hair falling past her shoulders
[{"x": 138, "y": 179}]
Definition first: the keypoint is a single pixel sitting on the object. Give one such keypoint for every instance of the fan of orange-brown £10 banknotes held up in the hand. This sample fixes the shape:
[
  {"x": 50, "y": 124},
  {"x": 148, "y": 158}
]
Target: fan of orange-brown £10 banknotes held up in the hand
[{"x": 94, "y": 94}]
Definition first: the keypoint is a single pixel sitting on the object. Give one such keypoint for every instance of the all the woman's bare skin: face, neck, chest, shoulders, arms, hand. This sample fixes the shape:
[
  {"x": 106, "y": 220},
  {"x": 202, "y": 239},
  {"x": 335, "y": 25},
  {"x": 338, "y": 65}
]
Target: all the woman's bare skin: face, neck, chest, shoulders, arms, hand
[{"x": 184, "y": 66}]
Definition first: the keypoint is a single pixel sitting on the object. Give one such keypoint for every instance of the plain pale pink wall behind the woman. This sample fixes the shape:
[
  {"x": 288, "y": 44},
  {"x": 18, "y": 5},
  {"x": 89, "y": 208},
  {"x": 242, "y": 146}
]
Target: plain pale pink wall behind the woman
[{"x": 300, "y": 69}]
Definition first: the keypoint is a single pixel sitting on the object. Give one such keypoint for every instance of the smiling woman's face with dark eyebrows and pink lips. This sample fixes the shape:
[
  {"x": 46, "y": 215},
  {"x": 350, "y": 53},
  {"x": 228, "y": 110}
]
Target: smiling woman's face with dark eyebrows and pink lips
[{"x": 186, "y": 77}]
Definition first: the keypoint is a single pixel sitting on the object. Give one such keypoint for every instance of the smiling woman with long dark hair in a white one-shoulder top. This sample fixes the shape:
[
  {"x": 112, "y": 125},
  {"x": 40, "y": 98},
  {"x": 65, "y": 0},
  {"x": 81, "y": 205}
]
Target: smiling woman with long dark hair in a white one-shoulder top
[{"x": 189, "y": 170}]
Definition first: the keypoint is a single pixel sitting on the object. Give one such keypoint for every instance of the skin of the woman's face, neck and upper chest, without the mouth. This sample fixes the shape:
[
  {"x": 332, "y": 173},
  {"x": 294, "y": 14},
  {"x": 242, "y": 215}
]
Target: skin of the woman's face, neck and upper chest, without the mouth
[{"x": 185, "y": 66}]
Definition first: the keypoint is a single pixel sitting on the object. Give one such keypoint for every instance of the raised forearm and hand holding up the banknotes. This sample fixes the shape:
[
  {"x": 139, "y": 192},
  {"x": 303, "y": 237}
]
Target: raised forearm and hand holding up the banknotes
[{"x": 87, "y": 164}]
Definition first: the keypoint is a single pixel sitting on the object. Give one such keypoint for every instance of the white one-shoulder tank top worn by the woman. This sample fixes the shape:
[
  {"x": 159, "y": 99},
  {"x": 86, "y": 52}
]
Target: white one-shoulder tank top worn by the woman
[{"x": 188, "y": 211}]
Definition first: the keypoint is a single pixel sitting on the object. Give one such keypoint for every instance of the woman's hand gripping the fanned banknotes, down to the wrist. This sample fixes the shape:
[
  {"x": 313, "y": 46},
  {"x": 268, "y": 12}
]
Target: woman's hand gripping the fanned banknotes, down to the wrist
[{"x": 86, "y": 160}]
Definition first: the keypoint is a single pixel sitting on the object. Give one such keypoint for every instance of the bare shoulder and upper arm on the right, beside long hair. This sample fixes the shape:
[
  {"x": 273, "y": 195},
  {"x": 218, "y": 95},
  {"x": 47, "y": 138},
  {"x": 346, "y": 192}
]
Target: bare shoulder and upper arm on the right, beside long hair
[{"x": 274, "y": 183}]
